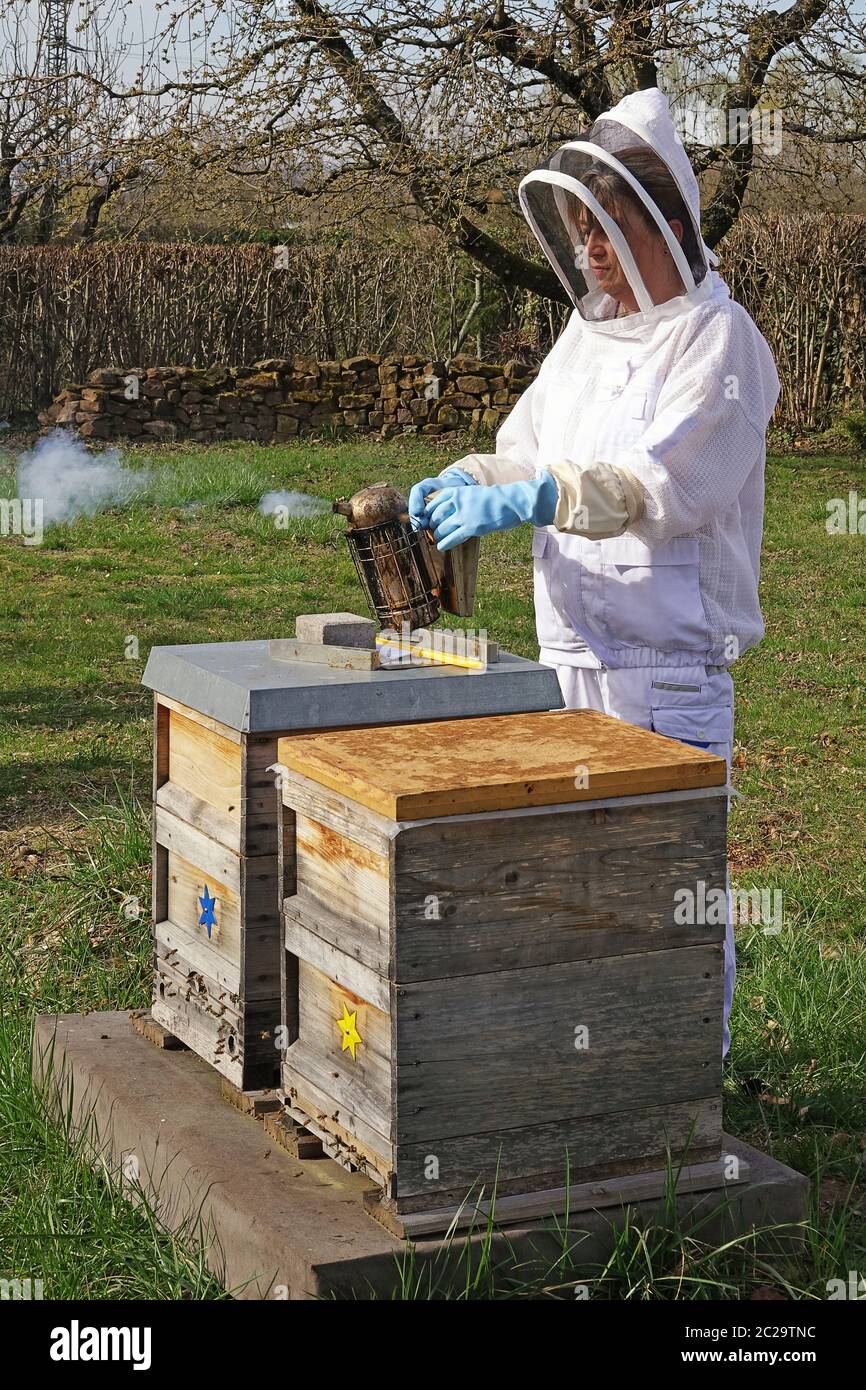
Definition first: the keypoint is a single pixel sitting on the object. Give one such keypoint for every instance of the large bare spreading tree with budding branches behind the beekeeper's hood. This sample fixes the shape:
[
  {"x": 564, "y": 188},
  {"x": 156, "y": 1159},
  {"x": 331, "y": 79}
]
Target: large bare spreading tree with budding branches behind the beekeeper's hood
[{"x": 433, "y": 115}]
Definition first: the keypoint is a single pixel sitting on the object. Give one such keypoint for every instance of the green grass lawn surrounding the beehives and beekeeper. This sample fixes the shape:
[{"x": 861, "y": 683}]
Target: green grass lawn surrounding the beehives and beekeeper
[{"x": 193, "y": 561}]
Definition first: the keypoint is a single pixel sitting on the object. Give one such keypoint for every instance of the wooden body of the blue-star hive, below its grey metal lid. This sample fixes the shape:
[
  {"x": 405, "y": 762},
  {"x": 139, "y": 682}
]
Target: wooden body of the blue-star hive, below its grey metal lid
[{"x": 215, "y": 869}]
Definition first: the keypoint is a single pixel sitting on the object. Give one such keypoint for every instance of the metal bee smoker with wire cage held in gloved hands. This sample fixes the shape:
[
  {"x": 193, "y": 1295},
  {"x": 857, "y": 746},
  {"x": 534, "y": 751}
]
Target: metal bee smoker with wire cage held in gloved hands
[{"x": 407, "y": 580}]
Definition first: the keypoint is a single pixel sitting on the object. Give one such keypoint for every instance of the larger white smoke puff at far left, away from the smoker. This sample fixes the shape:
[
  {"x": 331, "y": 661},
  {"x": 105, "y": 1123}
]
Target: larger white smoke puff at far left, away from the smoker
[{"x": 72, "y": 482}]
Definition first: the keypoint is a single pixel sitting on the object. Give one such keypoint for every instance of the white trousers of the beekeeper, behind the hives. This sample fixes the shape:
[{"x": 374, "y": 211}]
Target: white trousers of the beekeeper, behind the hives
[{"x": 676, "y": 701}]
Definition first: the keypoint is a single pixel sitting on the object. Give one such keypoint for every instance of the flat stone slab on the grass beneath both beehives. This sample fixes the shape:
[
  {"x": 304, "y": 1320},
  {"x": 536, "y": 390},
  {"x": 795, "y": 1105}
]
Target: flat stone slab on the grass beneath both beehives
[{"x": 280, "y": 1228}]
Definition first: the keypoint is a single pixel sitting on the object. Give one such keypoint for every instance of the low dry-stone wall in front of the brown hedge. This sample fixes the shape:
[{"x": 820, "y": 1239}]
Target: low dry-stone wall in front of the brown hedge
[{"x": 277, "y": 400}]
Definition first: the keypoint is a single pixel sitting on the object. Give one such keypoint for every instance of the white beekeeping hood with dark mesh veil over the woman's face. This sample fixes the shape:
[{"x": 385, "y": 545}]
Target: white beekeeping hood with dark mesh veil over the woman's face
[{"x": 603, "y": 206}]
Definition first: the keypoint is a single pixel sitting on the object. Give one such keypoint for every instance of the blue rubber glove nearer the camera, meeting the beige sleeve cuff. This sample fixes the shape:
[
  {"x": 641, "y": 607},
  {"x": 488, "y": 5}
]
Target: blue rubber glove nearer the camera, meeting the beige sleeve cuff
[{"x": 461, "y": 514}]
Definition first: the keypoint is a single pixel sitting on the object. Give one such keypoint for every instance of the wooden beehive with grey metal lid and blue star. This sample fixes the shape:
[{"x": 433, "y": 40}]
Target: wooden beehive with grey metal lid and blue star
[{"x": 219, "y": 714}]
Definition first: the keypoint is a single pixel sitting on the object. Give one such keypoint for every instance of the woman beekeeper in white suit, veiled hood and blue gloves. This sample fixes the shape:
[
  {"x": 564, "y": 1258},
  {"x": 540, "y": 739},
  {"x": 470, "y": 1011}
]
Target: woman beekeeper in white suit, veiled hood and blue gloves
[{"x": 639, "y": 451}]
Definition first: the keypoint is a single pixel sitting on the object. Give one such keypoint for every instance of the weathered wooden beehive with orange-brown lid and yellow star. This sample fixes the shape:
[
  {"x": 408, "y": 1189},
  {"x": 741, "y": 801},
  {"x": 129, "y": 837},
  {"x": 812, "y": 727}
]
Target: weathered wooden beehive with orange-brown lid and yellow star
[{"x": 486, "y": 965}]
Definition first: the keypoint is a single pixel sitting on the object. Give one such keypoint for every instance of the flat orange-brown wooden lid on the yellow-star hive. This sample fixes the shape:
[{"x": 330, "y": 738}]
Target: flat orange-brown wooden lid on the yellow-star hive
[{"x": 500, "y": 762}]
